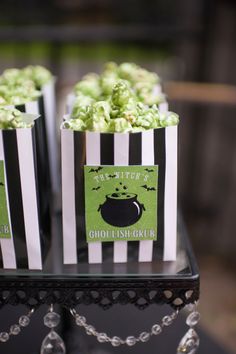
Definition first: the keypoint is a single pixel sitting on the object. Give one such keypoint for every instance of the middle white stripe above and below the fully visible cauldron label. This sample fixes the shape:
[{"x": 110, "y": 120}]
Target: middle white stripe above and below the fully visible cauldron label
[{"x": 121, "y": 158}]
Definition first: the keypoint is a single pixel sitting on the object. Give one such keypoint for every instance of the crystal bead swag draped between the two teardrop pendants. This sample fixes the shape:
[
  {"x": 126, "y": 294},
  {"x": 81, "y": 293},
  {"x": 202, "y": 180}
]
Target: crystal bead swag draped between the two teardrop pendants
[{"x": 116, "y": 341}]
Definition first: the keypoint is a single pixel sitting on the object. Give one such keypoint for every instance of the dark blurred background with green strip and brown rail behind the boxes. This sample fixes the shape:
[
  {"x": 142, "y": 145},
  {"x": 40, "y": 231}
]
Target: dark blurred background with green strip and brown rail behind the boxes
[{"x": 191, "y": 45}]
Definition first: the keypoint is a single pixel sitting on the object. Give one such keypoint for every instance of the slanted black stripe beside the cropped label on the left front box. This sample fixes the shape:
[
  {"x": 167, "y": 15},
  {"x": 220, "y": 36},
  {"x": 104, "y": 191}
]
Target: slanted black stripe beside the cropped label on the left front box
[{"x": 15, "y": 196}]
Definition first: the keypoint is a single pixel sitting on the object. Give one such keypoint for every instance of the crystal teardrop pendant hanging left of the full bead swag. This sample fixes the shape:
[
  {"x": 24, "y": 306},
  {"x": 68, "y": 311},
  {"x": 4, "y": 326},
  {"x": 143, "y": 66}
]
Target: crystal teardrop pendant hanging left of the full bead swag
[{"x": 52, "y": 343}]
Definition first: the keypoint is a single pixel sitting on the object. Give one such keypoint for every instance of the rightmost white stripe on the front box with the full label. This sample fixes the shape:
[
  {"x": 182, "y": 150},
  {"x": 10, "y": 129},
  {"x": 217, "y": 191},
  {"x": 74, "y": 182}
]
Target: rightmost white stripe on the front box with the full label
[{"x": 170, "y": 211}]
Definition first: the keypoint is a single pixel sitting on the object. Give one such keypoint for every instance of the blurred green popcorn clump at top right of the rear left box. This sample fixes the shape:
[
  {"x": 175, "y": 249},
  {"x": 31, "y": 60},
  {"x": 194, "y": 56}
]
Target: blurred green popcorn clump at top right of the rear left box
[{"x": 38, "y": 74}]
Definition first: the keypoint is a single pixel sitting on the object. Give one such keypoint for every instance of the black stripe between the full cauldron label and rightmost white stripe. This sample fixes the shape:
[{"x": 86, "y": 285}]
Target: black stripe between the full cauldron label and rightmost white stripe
[{"x": 160, "y": 160}]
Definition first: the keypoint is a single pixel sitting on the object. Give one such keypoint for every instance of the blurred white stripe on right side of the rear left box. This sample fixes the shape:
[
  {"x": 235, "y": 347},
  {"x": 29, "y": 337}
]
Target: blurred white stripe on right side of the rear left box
[{"x": 51, "y": 128}]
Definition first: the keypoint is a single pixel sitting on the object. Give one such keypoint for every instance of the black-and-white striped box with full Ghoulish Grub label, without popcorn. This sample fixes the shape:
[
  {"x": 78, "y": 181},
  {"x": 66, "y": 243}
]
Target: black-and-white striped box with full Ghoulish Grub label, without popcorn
[{"x": 119, "y": 188}]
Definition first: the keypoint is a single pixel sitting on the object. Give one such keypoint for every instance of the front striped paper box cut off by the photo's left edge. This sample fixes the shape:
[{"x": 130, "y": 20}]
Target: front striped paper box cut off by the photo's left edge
[{"x": 22, "y": 233}]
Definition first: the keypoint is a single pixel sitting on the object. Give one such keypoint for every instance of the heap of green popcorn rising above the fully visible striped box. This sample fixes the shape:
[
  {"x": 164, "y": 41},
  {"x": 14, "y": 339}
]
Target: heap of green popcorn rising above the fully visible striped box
[{"x": 122, "y": 99}]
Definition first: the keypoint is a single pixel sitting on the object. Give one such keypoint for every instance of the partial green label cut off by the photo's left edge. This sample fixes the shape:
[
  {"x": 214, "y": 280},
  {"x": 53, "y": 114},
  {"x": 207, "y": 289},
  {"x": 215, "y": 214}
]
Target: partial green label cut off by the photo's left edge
[{"x": 4, "y": 218}]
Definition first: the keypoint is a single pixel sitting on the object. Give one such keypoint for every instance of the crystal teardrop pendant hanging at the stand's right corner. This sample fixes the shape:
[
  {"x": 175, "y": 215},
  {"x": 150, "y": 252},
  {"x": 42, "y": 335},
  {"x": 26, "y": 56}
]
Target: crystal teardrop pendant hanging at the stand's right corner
[{"x": 190, "y": 341}]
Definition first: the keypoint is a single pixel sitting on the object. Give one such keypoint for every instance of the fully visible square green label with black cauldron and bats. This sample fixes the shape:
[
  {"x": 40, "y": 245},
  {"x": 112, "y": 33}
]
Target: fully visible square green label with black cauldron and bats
[{"x": 121, "y": 203}]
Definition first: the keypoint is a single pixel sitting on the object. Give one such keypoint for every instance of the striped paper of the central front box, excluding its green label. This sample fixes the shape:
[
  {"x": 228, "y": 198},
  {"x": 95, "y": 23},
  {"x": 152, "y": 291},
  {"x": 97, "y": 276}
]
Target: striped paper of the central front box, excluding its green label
[{"x": 152, "y": 147}]
